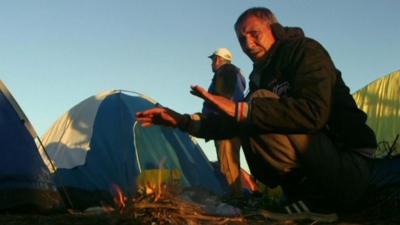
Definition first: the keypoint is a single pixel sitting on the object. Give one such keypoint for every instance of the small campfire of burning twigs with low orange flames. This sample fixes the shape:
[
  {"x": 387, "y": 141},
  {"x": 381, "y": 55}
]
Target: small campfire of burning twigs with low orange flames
[{"x": 163, "y": 201}]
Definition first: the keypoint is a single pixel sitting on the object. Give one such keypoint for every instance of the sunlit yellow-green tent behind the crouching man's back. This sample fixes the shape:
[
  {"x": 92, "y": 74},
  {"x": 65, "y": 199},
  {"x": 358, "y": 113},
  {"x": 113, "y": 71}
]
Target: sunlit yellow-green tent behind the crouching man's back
[{"x": 381, "y": 101}]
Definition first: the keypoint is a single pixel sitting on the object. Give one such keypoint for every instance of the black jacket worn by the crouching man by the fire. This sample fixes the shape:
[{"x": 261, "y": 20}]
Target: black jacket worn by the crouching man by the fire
[{"x": 313, "y": 96}]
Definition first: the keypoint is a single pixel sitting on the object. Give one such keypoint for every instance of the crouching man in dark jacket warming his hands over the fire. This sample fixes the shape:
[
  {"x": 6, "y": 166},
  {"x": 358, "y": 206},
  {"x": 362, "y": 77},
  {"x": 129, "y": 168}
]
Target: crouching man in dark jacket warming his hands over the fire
[{"x": 299, "y": 126}]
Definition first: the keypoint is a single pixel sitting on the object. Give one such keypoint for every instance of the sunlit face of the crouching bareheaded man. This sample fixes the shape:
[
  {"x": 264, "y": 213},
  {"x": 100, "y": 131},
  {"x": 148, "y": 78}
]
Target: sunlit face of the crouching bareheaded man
[{"x": 255, "y": 38}]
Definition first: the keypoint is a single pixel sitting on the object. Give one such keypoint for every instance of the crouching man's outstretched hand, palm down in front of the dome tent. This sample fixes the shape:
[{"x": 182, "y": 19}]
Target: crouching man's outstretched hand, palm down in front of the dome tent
[{"x": 159, "y": 116}]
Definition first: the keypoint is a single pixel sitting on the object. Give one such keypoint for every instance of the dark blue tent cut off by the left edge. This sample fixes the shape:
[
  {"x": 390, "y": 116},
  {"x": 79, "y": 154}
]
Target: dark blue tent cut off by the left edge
[{"x": 25, "y": 181}]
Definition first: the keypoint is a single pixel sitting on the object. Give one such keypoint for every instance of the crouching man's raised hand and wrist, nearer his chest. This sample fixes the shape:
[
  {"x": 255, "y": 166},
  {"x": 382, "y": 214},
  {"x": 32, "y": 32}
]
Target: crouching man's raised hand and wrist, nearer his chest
[{"x": 224, "y": 104}]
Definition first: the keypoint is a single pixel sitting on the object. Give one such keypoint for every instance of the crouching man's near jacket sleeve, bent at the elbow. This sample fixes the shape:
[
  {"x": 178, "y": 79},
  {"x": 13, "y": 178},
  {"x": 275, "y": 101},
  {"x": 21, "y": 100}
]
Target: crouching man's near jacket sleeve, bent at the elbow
[{"x": 307, "y": 105}]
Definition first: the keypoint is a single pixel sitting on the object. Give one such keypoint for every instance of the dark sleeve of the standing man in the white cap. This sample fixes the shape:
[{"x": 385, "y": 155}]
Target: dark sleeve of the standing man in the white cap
[{"x": 225, "y": 81}]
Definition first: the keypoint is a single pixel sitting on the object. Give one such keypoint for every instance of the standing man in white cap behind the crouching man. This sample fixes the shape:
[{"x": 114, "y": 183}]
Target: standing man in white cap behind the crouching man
[{"x": 229, "y": 83}]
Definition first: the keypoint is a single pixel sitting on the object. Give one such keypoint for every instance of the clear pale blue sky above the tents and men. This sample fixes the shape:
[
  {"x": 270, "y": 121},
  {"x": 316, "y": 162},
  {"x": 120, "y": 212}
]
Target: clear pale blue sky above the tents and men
[{"x": 55, "y": 53}]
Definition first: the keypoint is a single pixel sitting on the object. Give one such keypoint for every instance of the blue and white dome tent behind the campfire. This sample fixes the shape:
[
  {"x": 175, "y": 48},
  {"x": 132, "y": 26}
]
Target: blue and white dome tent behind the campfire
[{"x": 98, "y": 145}]
